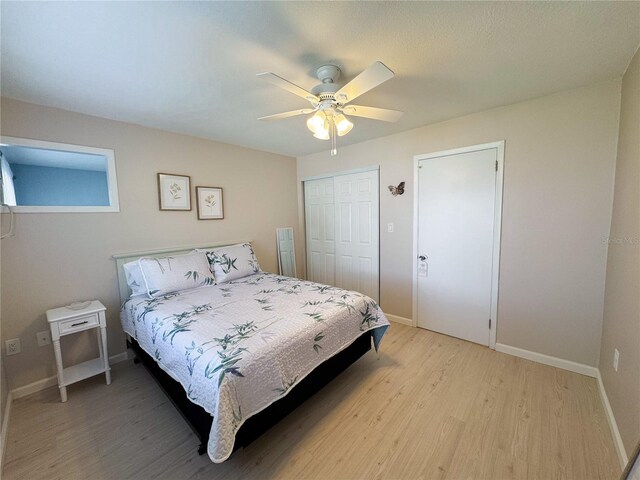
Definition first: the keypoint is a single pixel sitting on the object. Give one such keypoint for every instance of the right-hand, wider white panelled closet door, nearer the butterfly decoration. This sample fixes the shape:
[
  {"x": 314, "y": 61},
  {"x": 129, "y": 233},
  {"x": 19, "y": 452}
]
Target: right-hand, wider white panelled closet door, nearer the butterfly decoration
[{"x": 357, "y": 252}]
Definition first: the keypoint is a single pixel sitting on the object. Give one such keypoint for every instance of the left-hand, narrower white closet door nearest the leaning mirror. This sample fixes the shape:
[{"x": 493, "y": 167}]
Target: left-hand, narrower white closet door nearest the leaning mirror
[{"x": 320, "y": 234}]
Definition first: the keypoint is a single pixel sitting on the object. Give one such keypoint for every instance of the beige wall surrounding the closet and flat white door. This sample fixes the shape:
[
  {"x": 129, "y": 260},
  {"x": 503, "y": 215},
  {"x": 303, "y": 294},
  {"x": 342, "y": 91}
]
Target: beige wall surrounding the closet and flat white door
[{"x": 559, "y": 163}]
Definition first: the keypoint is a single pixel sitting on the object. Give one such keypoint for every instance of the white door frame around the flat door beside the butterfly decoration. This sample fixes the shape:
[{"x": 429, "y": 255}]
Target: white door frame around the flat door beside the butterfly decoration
[{"x": 497, "y": 227}]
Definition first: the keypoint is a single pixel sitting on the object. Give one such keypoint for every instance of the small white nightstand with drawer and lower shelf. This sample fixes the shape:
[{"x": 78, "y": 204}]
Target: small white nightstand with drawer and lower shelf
[{"x": 65, "y": 321}]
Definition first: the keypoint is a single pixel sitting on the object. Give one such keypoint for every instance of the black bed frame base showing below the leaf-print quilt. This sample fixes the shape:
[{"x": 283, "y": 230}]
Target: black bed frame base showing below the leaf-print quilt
[{"x": 200, "y": 421}]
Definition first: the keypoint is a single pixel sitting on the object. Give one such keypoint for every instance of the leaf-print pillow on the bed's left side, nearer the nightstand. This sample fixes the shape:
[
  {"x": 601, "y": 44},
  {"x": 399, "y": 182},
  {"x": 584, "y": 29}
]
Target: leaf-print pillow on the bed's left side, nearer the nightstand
[{"x": 163, "y": 275}]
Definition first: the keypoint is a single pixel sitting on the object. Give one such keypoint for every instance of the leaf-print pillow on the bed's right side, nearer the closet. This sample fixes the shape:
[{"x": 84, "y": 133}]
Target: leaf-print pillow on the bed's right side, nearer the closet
[{"x": 232, "y": 262}]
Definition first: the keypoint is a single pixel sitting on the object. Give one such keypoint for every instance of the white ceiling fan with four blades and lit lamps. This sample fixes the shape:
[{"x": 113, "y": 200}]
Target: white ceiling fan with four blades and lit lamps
[{"x": 330, "y": 104}]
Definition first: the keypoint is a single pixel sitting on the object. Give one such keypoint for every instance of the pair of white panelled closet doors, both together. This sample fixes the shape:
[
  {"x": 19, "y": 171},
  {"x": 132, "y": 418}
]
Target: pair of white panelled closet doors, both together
[{"x": 342, "y": 223}]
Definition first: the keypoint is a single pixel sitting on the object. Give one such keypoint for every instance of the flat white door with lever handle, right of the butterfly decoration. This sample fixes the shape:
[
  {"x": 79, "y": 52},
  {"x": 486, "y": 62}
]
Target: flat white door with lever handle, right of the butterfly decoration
[{"x": 456, "y": 215}]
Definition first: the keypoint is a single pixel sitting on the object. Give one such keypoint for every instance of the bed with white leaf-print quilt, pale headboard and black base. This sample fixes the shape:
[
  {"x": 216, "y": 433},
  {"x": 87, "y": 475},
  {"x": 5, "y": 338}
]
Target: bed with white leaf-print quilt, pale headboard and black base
[{"x": 236, "y": 357}]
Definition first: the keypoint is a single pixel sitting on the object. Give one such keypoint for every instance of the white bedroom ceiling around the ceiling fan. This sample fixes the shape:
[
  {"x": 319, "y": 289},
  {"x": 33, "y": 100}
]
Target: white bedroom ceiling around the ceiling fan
[{"x": 189, "y": 67}]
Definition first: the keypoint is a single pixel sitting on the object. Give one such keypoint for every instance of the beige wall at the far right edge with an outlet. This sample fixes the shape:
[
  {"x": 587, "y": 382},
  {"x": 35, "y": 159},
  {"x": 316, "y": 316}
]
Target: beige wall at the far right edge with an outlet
[{"x": 621, "y": 327}]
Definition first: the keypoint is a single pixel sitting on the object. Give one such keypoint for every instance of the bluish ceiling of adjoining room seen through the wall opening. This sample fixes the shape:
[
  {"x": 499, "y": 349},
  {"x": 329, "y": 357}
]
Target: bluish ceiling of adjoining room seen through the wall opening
[{"x": 41, "y": 157}]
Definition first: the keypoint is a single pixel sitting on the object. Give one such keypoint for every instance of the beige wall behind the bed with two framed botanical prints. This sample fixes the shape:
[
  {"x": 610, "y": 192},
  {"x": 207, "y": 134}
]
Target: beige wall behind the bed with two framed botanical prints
[{"x": 59, "y": 258}]
